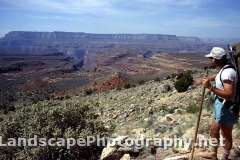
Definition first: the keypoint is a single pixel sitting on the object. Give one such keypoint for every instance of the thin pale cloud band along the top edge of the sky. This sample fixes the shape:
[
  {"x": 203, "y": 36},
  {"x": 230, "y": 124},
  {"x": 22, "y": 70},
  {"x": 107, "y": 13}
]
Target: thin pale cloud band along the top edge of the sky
[{"x": 96, "y": 7}]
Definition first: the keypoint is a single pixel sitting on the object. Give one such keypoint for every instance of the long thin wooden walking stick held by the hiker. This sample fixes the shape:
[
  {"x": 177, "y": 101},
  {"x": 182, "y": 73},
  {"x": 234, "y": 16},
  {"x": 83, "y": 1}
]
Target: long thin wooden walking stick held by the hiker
[{"x": 198, "y": 121}]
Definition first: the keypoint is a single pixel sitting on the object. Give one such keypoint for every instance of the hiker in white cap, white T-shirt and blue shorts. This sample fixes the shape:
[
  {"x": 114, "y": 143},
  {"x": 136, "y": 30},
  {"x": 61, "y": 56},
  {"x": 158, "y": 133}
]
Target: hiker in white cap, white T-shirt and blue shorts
[{"x": 224, "y": 90}]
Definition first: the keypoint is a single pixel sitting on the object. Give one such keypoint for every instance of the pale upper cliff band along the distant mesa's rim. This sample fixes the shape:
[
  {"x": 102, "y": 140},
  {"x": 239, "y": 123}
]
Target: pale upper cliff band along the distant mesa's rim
[{"x": 78, "y": 36}]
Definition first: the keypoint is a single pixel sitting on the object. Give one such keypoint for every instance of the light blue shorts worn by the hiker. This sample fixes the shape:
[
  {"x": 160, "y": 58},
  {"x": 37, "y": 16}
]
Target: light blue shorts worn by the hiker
[{"x": 223, "y": 115}]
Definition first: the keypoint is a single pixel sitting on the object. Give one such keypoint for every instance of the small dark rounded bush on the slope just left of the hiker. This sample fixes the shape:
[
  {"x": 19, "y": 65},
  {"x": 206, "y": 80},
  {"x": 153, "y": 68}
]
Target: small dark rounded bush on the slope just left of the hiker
[{"x": 184, "y": 80}]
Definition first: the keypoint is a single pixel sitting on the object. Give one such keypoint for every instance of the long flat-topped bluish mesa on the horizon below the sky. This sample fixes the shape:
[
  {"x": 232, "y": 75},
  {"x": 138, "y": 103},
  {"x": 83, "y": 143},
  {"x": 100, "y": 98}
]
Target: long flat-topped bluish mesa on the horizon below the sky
[{"x": 39, "y": 43}]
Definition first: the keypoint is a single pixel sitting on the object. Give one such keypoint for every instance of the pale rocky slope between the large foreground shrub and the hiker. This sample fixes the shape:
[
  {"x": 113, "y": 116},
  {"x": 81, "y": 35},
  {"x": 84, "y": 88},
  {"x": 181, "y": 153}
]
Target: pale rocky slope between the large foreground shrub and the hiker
[{"x": 153, "y": 110}]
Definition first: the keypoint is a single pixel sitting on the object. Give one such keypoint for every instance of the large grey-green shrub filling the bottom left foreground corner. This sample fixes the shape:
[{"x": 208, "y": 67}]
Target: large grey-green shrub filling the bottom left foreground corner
[{"x": 52, "y": 120}]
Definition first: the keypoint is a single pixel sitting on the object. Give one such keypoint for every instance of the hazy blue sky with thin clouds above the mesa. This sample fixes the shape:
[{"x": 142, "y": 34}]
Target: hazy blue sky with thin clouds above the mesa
[{"x": 202, "y": 18}]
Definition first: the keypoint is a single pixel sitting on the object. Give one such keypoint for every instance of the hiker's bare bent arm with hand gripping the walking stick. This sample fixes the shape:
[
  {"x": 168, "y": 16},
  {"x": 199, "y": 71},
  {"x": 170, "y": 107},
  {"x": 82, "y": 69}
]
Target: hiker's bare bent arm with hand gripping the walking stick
[{"x": 226, "y": 93}]
